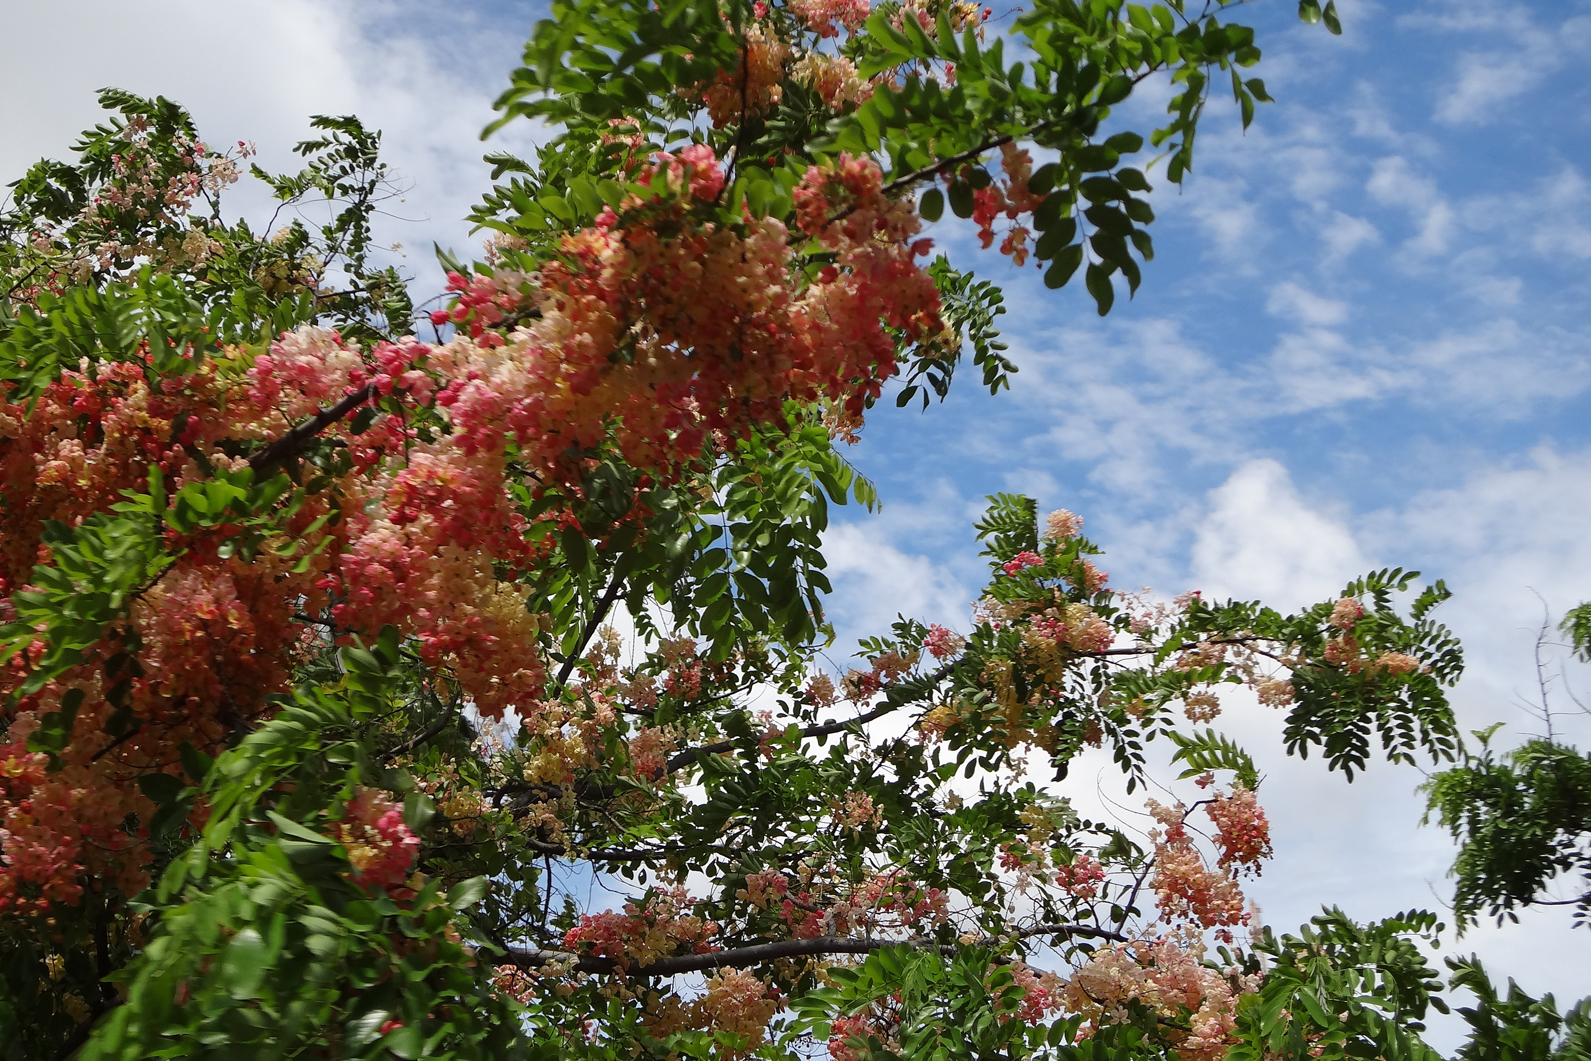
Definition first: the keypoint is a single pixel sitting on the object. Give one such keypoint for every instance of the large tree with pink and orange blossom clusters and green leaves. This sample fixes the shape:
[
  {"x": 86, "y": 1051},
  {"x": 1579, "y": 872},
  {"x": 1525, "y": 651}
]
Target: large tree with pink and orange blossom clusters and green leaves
[{"x": 379, "y": 698}]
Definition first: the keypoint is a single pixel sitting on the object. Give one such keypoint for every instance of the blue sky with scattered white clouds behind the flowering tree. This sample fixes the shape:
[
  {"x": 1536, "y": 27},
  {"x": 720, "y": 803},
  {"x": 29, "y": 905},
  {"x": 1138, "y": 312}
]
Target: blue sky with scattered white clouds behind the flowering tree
[{"x": 1364, "y": 343}]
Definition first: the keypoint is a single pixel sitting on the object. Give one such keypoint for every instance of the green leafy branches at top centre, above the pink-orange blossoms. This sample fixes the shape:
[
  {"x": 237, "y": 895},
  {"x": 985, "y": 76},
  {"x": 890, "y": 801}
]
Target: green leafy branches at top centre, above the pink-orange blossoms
[{"x": 596, "y": 61}]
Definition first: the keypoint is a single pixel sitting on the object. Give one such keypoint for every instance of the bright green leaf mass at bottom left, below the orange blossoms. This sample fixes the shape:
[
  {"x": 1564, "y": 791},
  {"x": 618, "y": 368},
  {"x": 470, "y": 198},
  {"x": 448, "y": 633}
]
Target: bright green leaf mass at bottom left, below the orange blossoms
[{"x": 265, "y": 947}]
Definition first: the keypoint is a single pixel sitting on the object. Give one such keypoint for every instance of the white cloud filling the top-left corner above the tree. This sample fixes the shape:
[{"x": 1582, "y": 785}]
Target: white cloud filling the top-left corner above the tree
[{"x": 257, "y": 72}]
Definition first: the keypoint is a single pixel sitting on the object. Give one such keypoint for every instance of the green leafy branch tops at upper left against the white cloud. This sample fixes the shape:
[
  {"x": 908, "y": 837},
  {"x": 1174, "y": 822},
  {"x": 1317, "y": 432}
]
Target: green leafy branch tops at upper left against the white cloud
[{"x": 90, "y": 274}]
